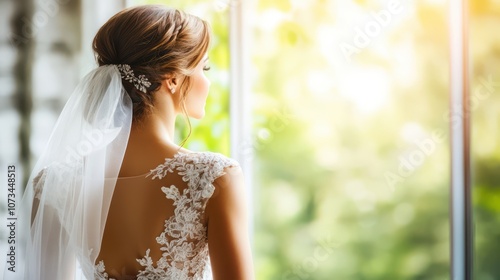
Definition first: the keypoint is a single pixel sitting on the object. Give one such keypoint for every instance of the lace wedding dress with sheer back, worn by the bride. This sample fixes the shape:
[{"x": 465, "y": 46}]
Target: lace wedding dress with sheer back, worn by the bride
[{"x": 182, "y": 185}]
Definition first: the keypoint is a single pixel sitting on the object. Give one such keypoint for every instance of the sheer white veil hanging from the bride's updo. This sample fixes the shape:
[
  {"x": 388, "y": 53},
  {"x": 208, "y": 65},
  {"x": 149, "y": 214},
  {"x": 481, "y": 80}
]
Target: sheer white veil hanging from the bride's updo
[{"x": 65, "y": 204}]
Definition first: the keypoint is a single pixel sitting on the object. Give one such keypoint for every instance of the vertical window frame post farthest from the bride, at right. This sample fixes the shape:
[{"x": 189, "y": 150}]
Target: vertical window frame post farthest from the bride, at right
[{"x": 461, "y": 223}]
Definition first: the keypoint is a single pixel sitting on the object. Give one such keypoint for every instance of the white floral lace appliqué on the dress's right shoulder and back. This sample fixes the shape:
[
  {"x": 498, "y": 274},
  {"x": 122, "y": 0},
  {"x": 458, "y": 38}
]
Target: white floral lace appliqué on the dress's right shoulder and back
[{"x": 184, "y": 241}]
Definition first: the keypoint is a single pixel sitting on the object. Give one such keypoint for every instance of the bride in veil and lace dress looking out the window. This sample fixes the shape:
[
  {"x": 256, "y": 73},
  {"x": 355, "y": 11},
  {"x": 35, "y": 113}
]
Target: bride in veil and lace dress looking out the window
[{"x": 113, "y": 196}]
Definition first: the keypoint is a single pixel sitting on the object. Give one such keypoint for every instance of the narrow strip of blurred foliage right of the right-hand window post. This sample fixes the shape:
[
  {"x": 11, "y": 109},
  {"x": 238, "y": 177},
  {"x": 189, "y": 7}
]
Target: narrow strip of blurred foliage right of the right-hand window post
[{"x": 485, "y": 105}]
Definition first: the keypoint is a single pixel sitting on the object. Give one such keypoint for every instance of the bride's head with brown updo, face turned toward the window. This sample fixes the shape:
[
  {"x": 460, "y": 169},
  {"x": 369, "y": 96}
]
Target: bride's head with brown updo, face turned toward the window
[{"x": 166, "y": 45}]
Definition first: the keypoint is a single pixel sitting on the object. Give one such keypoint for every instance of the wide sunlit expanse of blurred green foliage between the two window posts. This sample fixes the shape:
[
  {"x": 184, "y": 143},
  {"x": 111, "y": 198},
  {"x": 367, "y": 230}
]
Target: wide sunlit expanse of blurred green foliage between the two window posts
[{"x": 323, "y": 176}]
